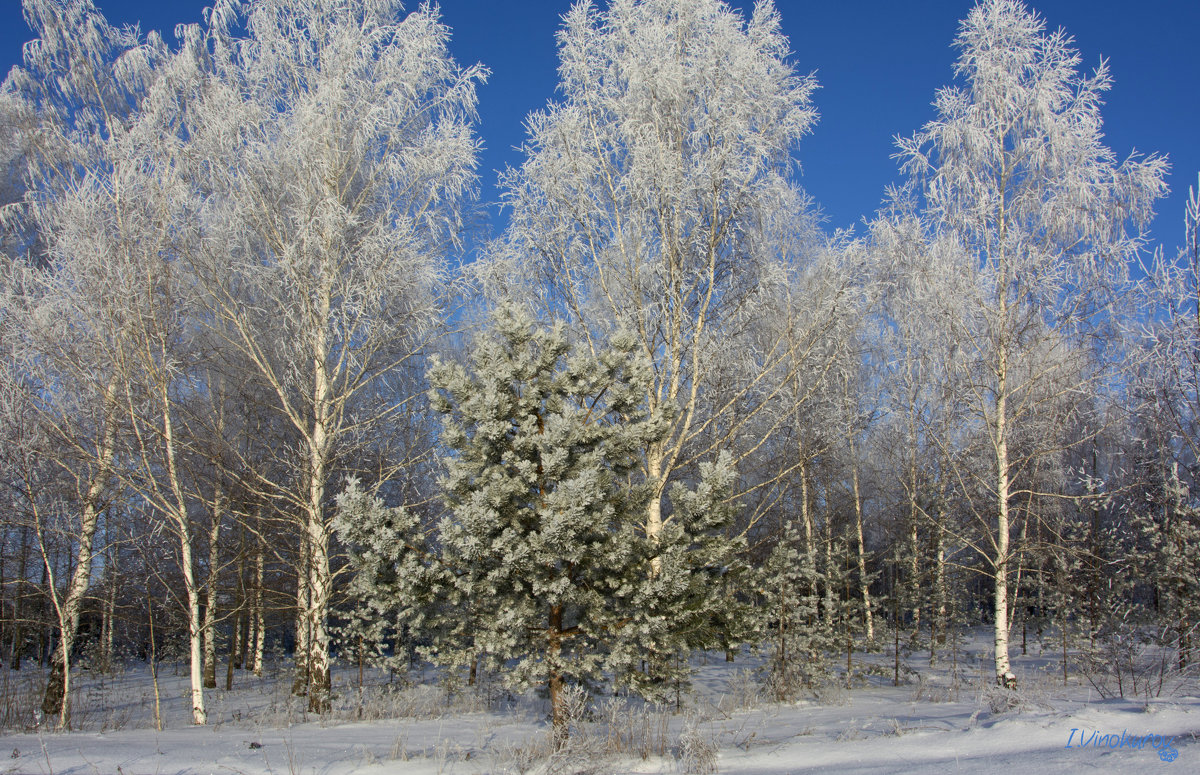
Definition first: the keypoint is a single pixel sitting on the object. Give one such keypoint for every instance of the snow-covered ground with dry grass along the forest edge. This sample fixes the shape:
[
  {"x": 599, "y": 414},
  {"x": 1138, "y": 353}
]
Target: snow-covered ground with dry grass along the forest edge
[{"x": 934, "y": 723}]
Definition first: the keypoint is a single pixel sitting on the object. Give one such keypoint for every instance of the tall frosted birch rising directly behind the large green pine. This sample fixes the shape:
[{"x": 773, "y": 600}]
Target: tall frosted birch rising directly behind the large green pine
[{"x": 656, "y": 197}]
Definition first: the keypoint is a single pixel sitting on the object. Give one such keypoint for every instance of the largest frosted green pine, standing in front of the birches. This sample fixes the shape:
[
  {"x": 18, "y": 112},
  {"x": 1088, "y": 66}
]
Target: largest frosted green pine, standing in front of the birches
[{"x": 545, "y": 507}]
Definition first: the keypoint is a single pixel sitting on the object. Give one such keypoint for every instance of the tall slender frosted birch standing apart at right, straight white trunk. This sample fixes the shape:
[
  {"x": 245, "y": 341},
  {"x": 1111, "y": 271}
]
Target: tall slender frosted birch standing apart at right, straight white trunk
[{"x": 1015, "y": 170}]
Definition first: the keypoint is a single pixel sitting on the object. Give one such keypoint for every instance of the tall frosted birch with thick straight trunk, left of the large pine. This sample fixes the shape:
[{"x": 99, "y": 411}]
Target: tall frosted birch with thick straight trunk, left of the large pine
[{"x": 333, "y": 148}]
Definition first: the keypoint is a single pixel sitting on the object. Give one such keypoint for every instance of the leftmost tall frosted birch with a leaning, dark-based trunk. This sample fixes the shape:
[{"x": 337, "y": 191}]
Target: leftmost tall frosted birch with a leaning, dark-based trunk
[{"x": 71, "y": 107}]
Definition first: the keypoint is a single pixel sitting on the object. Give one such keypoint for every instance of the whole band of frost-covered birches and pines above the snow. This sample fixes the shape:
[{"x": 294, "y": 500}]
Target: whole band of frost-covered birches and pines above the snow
[{"x": 675, "y": 414}]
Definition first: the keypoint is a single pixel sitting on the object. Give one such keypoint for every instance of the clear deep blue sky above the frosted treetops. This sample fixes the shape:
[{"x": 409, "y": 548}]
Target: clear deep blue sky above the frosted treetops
[{"x": 879, "y": 64}]
